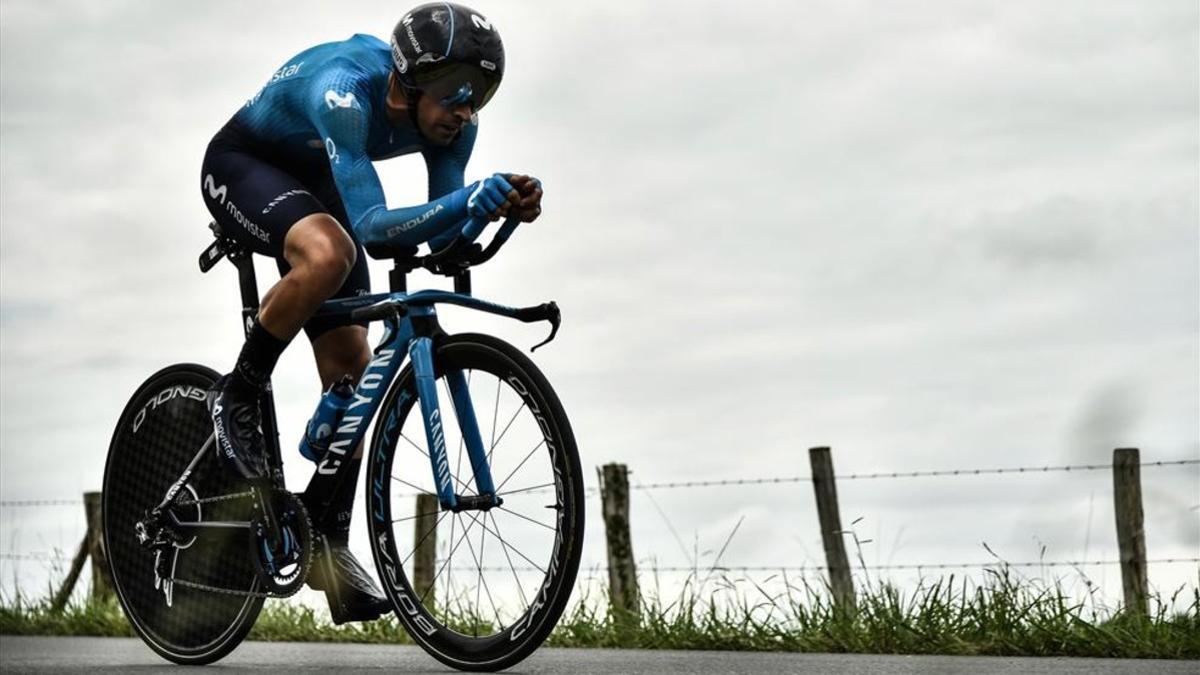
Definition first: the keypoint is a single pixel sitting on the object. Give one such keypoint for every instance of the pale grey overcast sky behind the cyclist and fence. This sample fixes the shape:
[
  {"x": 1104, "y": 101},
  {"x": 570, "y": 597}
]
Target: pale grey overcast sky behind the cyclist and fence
[{"x": 928, "y": 235}]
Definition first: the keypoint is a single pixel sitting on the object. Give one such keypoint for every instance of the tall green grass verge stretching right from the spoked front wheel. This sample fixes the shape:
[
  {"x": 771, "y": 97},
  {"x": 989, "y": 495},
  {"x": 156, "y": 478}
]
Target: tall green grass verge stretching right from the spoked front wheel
[{"x": 1004, "y": 617}]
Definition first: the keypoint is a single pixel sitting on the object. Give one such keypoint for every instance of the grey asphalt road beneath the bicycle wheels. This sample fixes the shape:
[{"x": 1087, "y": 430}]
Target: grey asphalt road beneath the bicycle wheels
[{"x": 118, "y": 655}]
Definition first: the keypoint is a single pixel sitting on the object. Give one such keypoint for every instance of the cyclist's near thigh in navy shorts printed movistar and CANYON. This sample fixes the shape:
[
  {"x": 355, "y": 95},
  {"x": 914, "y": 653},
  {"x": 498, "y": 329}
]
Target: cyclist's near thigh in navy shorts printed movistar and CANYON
[{"x": 254, "y": 201}]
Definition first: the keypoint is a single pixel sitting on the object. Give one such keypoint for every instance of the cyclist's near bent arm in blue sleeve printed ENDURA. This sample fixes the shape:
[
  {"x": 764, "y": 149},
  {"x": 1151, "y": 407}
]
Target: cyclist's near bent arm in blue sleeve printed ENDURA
[{"x": 344, "y": 122}]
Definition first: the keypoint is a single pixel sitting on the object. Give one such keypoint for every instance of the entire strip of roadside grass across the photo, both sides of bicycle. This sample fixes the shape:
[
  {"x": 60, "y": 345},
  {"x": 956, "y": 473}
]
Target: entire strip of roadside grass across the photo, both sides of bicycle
[{"x": 1004, "y": 616}]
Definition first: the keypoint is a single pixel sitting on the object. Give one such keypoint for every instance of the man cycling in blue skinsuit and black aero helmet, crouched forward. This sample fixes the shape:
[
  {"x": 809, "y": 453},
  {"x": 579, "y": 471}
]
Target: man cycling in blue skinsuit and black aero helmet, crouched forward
[{"x": 290, "y": 176}]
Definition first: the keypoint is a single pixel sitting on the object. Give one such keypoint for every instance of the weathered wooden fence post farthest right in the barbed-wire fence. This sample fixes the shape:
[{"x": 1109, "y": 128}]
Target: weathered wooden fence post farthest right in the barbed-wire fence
[{"x": 1131, "y": 533}]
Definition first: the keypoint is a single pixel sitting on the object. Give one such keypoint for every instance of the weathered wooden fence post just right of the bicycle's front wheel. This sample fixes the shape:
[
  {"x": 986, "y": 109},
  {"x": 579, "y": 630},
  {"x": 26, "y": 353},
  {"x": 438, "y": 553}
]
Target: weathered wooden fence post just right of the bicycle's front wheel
[{"x": 623, "y": 593}]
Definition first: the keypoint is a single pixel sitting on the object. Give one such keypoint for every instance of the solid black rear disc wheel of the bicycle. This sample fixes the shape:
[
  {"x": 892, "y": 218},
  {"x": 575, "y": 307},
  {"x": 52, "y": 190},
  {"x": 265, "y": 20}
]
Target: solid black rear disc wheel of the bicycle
[{"x": 163, "y": 428}]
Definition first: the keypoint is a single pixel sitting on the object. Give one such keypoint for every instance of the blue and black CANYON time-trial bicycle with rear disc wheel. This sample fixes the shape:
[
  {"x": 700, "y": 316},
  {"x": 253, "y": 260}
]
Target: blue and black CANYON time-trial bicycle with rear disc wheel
[{"x": 195, "y": 552}]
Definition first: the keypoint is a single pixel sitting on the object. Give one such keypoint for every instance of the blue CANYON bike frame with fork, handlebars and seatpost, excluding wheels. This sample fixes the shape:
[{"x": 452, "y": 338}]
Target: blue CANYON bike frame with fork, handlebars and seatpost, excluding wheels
[{"x": 411, "y": 327}]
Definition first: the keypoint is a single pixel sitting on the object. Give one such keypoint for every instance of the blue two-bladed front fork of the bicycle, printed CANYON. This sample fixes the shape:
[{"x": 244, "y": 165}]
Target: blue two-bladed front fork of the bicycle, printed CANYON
[{"x": 421, "y": 351}]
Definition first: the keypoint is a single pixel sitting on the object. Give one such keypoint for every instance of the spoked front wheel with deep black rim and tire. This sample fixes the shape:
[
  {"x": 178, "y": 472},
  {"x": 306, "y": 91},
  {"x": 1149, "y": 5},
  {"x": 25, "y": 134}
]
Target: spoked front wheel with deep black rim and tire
[{"x": 520, "y": 575}]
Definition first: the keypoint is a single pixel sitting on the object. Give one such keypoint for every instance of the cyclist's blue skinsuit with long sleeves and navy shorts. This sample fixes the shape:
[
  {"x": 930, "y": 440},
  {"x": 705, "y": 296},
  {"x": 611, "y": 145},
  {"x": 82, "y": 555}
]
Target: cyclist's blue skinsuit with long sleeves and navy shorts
[{"x": 305, "y": 144}]
